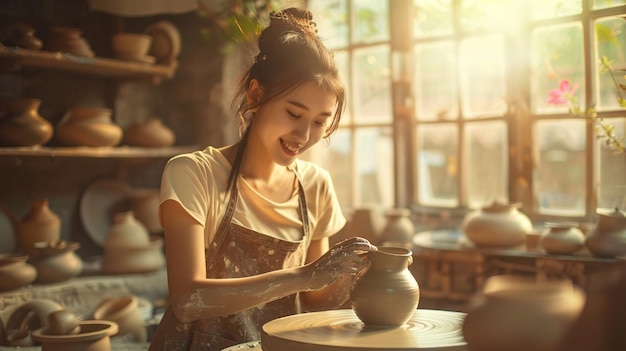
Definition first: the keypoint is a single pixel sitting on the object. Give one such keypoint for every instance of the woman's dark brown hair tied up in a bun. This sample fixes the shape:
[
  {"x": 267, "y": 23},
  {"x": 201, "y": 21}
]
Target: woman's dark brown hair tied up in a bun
[{"x": 290, "y": 55}]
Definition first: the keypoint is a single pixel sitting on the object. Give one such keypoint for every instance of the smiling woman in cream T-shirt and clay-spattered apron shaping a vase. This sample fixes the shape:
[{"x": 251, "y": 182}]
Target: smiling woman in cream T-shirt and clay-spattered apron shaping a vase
[{"x": 247, "y": 226}]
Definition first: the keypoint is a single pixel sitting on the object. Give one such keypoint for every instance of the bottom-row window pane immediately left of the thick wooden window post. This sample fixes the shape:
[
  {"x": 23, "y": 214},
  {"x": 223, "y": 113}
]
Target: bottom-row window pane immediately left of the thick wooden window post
[{"x": 374, "y": 166}]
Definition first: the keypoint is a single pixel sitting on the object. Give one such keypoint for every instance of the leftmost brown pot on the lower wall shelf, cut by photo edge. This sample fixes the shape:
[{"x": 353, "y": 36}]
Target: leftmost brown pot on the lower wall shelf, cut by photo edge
[{"x": 21, "y": 124}]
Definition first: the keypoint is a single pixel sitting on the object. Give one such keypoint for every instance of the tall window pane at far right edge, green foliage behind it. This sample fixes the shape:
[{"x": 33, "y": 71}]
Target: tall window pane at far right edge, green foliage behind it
[{"x": 611, "y": 42}]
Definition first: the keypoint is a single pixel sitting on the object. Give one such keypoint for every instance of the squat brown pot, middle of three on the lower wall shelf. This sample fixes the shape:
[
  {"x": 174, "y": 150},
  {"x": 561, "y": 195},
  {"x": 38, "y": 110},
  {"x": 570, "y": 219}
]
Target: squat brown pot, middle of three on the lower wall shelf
[{"x": 89, "y": 126}]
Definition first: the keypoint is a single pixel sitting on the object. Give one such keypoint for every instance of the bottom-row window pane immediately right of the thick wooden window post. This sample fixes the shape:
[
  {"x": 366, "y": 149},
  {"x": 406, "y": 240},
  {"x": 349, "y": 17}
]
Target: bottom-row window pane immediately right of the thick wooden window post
[{"x": 437, "y": 165}]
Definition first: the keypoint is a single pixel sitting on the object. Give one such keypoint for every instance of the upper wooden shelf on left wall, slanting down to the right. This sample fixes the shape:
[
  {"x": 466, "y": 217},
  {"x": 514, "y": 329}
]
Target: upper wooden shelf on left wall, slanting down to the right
[{"x": 17, "y": 58}]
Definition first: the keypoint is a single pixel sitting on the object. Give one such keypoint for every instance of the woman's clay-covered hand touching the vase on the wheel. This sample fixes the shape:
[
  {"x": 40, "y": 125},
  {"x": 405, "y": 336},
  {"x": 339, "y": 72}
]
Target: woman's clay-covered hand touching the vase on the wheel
[{"x": 345, "y": 257}]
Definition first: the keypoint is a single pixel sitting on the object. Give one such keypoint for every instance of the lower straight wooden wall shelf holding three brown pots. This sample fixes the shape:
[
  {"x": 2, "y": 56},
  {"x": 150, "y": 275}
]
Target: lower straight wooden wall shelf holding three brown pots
[{"x": 97, "y": 152}]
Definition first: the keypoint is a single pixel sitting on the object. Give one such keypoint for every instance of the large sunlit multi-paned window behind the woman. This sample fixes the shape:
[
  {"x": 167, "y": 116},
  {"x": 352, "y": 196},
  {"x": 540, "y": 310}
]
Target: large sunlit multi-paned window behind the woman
[{"x": 481, "y": 128}]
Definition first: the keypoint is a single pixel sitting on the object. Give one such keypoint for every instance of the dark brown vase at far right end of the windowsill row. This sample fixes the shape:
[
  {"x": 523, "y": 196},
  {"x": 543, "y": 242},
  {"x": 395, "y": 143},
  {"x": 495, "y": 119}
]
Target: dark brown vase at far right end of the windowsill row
[{"x": 608, "y": 238}]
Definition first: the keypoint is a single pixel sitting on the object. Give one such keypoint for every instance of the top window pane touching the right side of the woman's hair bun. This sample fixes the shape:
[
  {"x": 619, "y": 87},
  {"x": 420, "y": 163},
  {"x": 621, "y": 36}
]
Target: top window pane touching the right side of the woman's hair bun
[{"x": 331, "y": 17}]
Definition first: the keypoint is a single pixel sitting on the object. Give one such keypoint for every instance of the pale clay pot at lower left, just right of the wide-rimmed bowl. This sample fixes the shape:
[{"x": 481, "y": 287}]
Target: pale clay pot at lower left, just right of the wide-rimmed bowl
[{"x": 125, "y": 312}]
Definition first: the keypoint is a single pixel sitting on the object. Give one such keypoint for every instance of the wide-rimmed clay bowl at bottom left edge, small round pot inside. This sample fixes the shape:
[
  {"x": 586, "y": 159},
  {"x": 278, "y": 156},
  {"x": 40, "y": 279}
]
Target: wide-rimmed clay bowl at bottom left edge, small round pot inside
[{"x": 93, "y": 336}]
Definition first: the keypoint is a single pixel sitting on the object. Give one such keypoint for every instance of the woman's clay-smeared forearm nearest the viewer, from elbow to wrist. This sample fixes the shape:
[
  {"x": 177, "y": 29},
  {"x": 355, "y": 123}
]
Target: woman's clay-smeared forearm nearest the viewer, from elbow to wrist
[{"x": 219, "y": 297}]
